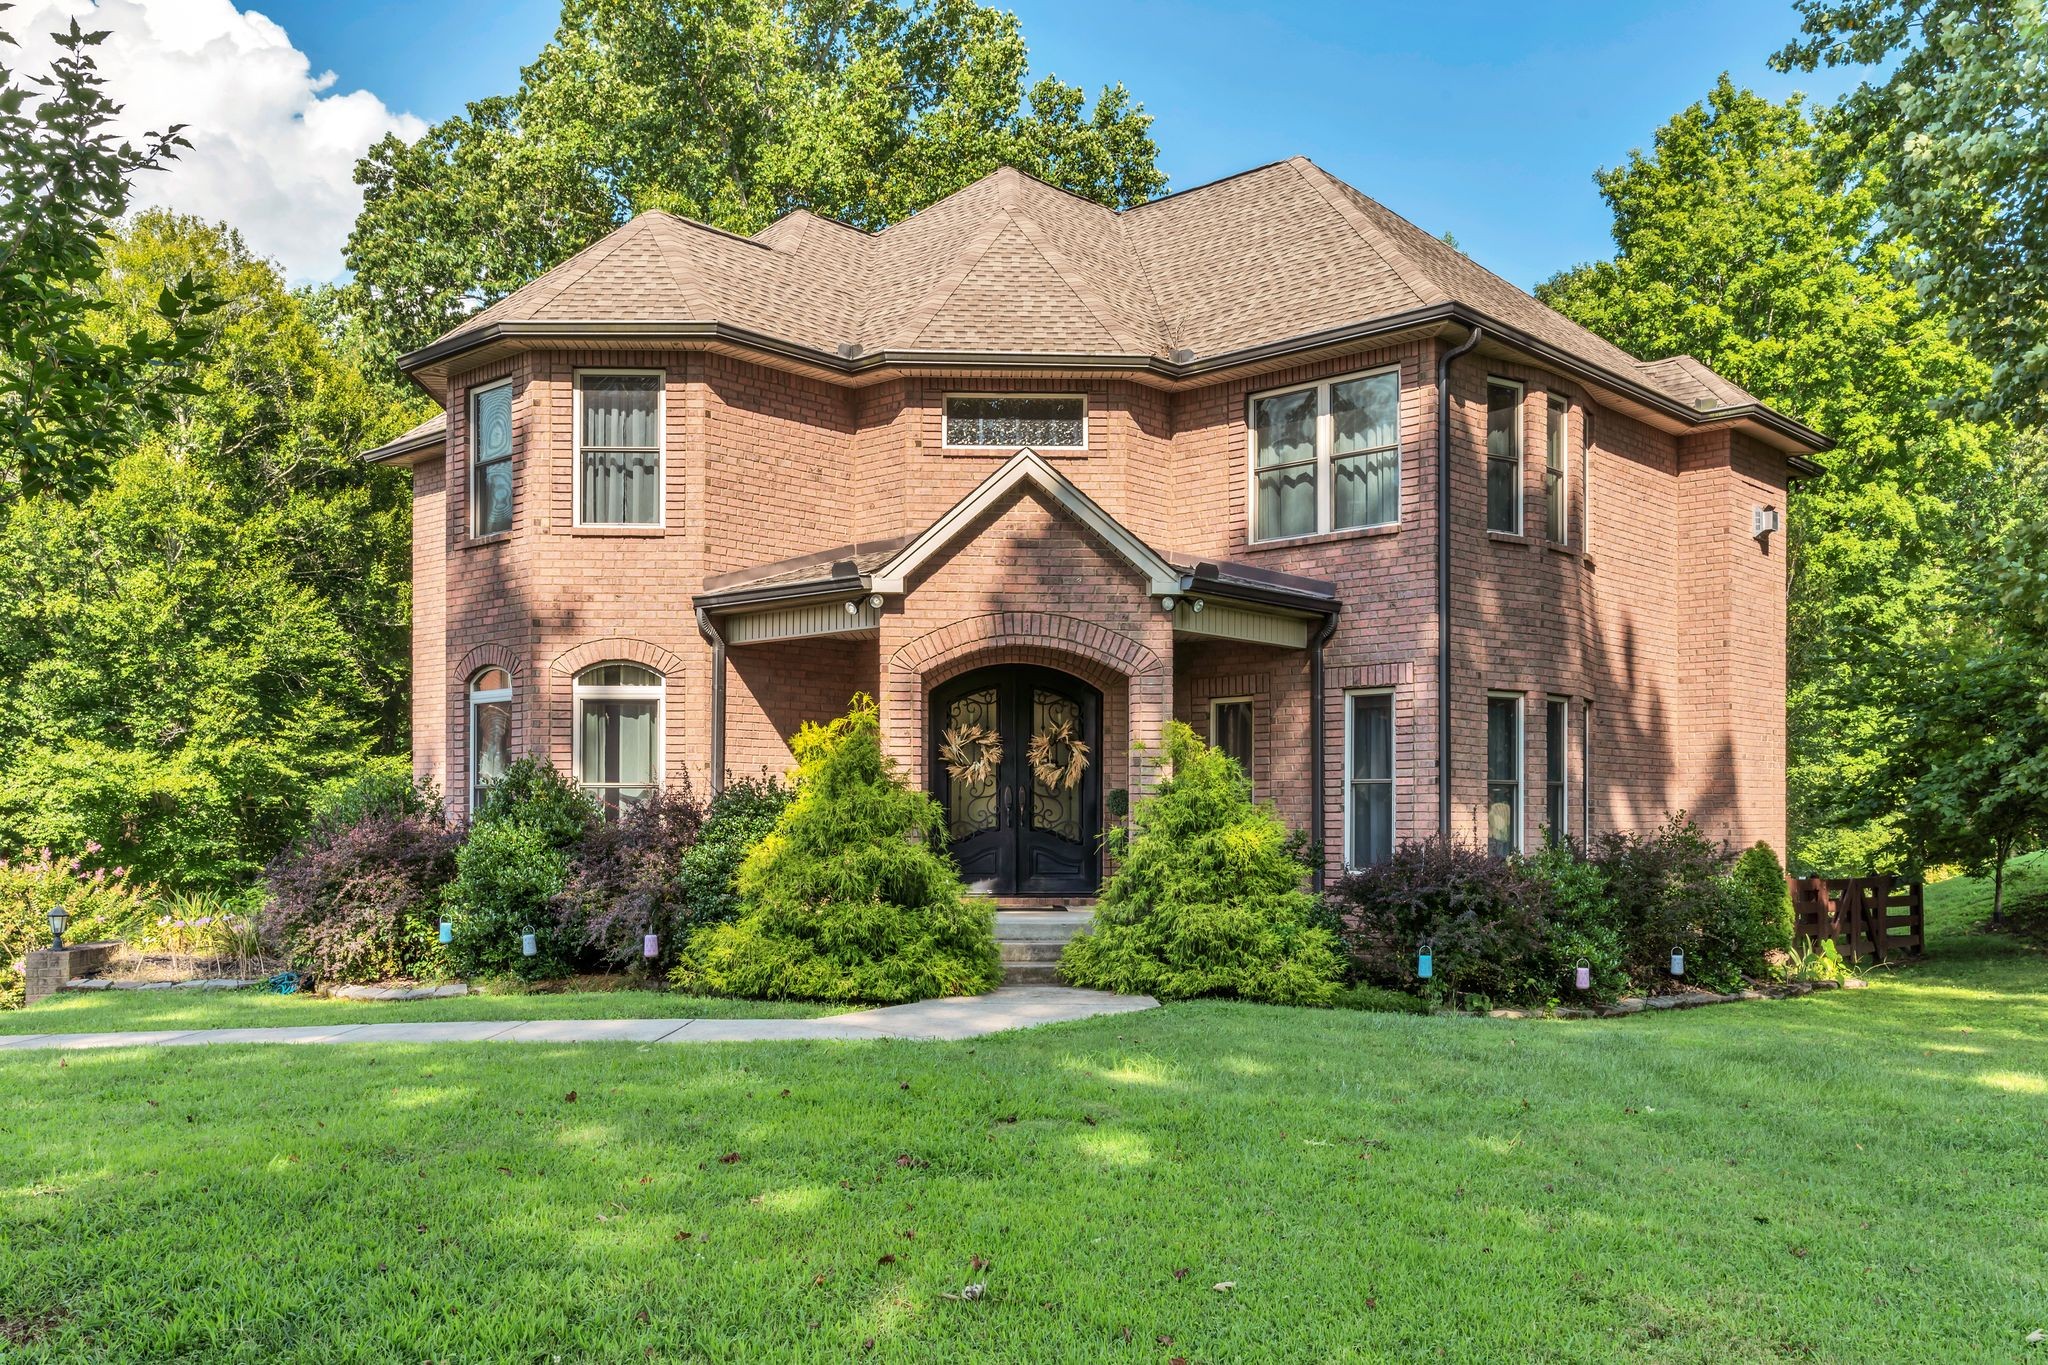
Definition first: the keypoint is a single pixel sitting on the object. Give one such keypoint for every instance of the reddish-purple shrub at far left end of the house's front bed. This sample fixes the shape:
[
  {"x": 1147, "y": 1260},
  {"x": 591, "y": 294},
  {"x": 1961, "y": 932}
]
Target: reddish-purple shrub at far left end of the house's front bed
[{"x": 359, "y": 901}]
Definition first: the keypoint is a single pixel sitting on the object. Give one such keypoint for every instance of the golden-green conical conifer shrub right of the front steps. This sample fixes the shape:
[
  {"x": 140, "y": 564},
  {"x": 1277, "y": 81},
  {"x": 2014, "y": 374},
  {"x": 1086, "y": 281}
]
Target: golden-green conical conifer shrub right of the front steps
[{"x": 1209, "y": 897}]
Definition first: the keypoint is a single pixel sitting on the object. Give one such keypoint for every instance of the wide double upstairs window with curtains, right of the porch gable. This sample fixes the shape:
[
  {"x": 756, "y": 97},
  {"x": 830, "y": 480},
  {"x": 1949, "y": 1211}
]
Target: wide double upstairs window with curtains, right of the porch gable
[{"x": 1340, "y": 435}]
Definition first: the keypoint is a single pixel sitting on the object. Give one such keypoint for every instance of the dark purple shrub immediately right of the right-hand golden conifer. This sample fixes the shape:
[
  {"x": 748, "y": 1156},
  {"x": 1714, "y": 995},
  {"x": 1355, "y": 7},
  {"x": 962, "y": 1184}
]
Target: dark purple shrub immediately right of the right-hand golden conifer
[{"x": 1486, "y": 918}]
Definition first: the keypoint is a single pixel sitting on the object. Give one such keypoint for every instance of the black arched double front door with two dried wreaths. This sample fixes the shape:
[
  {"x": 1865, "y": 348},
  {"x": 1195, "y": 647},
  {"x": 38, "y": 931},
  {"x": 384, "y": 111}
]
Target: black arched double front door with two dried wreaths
[{"x": 1021, "y": 830}]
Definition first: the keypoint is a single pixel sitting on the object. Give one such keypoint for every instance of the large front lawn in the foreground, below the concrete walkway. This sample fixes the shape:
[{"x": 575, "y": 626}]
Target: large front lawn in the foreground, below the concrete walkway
[{"x": 1844, "y": 1178}]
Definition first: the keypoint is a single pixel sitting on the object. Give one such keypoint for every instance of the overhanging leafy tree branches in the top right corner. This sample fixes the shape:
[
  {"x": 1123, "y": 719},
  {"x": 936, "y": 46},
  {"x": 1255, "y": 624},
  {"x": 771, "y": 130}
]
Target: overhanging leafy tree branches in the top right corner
[{"x": 1955, "y": 150}]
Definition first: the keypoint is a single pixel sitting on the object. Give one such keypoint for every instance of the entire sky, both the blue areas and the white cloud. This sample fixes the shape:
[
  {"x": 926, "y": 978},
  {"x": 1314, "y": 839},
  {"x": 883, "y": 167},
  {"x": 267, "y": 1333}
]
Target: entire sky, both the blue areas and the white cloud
[{"x": 1480, "y": 120}]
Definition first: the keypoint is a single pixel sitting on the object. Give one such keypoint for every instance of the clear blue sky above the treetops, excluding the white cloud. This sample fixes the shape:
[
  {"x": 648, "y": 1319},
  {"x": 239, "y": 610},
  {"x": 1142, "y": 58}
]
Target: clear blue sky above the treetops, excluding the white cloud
[{"x": 1482, "y": 120}]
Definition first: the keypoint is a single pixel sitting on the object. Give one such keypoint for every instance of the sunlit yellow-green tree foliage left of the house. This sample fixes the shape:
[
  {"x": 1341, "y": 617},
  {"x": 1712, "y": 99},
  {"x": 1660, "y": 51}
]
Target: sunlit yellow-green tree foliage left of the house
[{"x": 194, "y": 650}]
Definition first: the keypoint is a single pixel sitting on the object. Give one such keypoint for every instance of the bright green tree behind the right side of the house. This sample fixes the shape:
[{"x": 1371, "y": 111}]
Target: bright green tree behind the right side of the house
[{"x": 1734, "y": 247}]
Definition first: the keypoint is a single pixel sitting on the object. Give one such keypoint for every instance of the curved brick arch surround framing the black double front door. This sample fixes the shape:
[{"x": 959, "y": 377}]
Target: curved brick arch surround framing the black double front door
[{"x": 1138, "y": 689}]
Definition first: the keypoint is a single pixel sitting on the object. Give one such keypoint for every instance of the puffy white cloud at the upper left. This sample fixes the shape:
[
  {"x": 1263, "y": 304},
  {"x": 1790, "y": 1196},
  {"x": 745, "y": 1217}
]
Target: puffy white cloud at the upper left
[{"x": 273, "y": 146}]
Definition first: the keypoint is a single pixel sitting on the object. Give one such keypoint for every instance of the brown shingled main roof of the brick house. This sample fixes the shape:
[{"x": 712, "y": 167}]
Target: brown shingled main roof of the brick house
[{"x": 1015, "y": 265}]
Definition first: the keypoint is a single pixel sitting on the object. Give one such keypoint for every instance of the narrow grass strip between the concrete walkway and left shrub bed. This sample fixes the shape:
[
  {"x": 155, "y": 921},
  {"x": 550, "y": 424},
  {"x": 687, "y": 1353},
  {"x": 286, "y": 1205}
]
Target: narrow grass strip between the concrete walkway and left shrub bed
[{"x": 103, "y": 1012}]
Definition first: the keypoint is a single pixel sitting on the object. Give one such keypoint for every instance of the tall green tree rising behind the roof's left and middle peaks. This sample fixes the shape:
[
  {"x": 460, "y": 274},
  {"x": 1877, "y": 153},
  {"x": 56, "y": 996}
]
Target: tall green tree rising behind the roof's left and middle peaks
[{"x": 728, "y": 112}]
